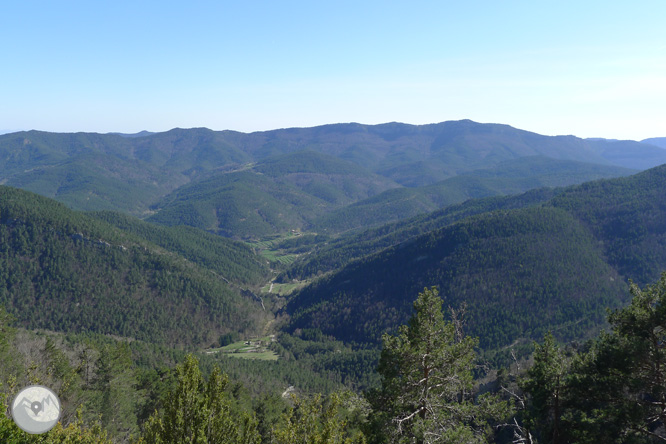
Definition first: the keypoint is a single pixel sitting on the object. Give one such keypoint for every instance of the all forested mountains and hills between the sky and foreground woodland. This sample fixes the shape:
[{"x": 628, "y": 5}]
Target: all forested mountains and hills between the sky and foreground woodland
[{"x": 490, "y": 214}]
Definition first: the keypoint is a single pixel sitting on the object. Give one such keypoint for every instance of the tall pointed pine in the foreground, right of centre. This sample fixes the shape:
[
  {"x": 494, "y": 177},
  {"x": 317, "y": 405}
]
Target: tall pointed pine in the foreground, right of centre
[{"x": 427, "y": 383}]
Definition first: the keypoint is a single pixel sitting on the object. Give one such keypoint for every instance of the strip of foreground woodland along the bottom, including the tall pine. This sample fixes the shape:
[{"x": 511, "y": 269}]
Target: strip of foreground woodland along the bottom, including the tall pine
[{"x": 609, "y": 389}]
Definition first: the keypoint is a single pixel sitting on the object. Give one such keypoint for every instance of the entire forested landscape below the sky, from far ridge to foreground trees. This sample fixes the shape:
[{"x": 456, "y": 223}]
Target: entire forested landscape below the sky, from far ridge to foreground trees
[{"x": 297, "y": 286}]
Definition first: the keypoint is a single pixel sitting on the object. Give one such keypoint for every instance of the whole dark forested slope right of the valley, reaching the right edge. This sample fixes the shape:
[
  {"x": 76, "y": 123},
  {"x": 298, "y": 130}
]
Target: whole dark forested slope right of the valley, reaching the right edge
[{"x": 521, "y": 272}]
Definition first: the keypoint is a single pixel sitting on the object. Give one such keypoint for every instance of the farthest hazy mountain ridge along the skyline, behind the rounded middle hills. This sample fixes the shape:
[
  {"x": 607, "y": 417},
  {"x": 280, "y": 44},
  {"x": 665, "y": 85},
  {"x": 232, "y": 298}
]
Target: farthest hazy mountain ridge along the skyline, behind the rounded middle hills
[{"x": 130, "y": 173}]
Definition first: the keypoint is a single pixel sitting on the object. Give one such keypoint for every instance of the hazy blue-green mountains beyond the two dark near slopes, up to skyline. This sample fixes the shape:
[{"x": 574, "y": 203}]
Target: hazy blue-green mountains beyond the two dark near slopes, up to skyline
[{"x": 322, "y": 178}]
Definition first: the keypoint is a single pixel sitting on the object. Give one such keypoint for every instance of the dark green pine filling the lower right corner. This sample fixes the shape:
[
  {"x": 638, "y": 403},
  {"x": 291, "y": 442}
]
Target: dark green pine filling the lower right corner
[{"x": 618, "y": 388}]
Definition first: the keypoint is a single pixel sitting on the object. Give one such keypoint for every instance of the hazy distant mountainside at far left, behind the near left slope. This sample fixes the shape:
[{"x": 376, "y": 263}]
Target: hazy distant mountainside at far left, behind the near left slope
[{"x": 107, "y": 171}]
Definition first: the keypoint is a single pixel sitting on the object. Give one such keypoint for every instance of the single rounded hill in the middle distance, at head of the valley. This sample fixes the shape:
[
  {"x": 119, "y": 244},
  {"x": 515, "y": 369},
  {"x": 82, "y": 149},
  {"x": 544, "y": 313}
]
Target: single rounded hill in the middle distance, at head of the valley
[{"x": 281, "y": 194}]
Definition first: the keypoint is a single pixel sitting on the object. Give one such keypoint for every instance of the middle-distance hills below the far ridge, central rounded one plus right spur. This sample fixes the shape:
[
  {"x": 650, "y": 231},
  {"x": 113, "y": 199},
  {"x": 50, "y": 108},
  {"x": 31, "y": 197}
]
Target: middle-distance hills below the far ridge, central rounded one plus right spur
[{"x": 311, "y": 191}]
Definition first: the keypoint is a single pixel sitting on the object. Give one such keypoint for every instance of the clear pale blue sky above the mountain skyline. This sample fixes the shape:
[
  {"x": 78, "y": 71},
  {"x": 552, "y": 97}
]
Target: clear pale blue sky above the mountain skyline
[{"x": 588, "y": 68}]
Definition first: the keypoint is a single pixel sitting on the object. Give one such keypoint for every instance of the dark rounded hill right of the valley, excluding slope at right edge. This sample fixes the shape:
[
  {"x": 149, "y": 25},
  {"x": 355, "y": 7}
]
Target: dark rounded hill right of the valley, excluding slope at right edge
[{"x": 520, "y": 272}]
